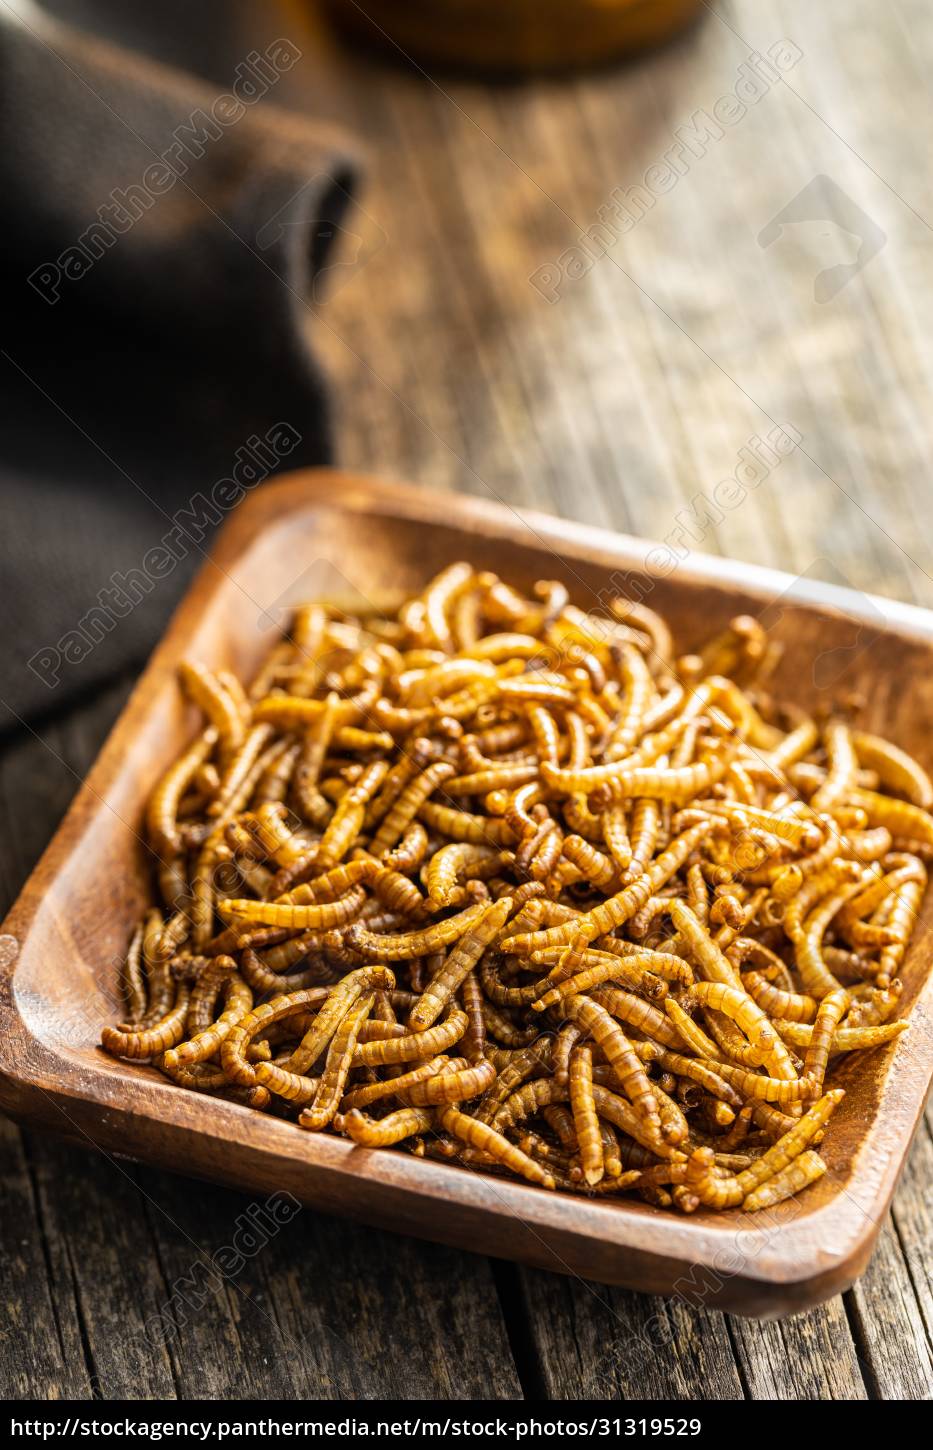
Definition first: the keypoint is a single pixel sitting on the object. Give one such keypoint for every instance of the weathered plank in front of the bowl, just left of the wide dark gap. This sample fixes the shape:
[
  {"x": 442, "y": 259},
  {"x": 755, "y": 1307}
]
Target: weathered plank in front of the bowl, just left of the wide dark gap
[{"x": 307, "y": 1310}]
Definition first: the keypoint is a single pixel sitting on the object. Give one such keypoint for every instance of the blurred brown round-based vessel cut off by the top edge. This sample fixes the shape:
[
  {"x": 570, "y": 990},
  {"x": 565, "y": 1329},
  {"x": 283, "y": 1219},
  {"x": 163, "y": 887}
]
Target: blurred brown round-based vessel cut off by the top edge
[{"x": 514, "y": 36}]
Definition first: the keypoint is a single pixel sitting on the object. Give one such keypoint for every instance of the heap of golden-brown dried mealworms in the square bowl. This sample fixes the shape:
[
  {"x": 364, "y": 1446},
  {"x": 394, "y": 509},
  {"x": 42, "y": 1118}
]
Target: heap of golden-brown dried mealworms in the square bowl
[{"x": 517, "y": 887}]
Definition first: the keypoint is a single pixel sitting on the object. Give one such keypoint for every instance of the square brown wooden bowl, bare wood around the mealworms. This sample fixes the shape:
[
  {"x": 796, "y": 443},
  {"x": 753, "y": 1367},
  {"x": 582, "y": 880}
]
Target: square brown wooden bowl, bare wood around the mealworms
[{"x": 332, "y": 534}]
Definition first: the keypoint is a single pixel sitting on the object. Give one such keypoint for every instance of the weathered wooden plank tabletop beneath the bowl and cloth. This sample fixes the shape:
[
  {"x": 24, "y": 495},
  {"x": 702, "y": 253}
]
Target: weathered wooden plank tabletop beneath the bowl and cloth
[{"x": 619, "y": 391}]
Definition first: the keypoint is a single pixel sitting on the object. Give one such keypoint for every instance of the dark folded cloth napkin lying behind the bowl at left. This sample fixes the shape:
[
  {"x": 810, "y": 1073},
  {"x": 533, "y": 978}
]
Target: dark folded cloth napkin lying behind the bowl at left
[{"x": 153, "y": 336}]
